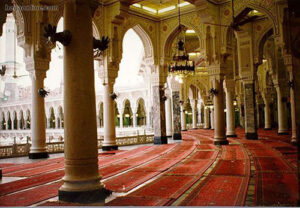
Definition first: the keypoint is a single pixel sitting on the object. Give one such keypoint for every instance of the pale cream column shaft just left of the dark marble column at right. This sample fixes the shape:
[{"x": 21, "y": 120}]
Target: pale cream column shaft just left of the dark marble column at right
[{"x": 230, "y": 117}]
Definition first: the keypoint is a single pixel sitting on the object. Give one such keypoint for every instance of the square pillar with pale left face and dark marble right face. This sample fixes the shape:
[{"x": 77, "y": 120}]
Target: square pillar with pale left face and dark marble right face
[{"x": 159, "y": 121}]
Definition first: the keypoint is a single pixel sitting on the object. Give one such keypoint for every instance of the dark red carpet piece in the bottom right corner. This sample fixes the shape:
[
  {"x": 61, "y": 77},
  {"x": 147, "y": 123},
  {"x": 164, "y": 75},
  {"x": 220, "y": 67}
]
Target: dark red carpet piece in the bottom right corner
[{"x": 276, "y": 189}]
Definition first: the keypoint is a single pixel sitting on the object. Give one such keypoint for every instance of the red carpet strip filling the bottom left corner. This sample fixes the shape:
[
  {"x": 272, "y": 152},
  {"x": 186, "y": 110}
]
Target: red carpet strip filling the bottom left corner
[{"x": 32, "y": 196}]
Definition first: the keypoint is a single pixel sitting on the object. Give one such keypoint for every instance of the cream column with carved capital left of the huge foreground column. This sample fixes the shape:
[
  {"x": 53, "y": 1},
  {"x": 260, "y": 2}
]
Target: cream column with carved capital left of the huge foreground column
[{"x": 37, "y": 69}]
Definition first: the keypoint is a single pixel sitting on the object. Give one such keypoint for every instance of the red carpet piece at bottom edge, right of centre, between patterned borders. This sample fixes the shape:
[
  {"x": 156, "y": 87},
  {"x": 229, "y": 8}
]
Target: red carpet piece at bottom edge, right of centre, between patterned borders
[{"x": 219, "y": 191}]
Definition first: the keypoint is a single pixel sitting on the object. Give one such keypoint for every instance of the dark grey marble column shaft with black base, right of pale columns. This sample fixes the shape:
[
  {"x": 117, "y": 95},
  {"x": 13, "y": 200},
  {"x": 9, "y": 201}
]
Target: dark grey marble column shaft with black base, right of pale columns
[{"x": 249, "y": 109}]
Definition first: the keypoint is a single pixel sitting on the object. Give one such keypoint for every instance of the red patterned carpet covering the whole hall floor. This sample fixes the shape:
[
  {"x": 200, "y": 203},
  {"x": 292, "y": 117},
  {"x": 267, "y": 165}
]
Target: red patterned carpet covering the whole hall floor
[{"x": 193, "y": 172}]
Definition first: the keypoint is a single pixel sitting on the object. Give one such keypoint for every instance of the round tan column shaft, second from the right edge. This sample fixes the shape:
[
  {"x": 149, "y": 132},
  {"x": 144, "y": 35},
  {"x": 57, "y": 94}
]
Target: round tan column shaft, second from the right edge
[{"x": 282, "y": 116}]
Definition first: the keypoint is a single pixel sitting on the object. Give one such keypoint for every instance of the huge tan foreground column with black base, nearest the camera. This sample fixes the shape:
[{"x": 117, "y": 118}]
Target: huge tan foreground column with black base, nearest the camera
[{"x": 81, "y": 182}]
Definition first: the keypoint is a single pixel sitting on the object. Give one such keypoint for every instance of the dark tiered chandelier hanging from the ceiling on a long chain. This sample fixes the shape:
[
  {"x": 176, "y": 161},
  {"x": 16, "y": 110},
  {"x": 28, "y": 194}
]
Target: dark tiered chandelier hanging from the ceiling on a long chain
[{"x": 180, "y": 64}]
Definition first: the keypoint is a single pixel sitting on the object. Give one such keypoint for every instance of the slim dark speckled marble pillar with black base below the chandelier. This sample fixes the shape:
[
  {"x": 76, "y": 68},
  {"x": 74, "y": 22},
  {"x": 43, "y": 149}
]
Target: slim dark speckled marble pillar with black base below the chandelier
[{"x": 176, "y": 116}]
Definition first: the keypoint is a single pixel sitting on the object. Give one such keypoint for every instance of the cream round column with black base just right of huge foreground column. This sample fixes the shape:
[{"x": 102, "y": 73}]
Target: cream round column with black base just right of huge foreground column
[{"x": 109, "y": 142}]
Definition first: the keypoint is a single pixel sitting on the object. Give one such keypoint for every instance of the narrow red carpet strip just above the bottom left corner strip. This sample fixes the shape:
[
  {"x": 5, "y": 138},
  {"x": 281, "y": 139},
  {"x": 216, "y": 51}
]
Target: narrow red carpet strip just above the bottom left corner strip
[{"x": 30, "y": 182}]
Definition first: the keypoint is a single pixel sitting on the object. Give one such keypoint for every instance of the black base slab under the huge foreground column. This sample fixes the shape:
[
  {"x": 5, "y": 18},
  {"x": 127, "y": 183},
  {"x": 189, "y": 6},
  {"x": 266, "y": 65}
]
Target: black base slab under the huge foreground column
[{"x": 85, "y": 197}]
